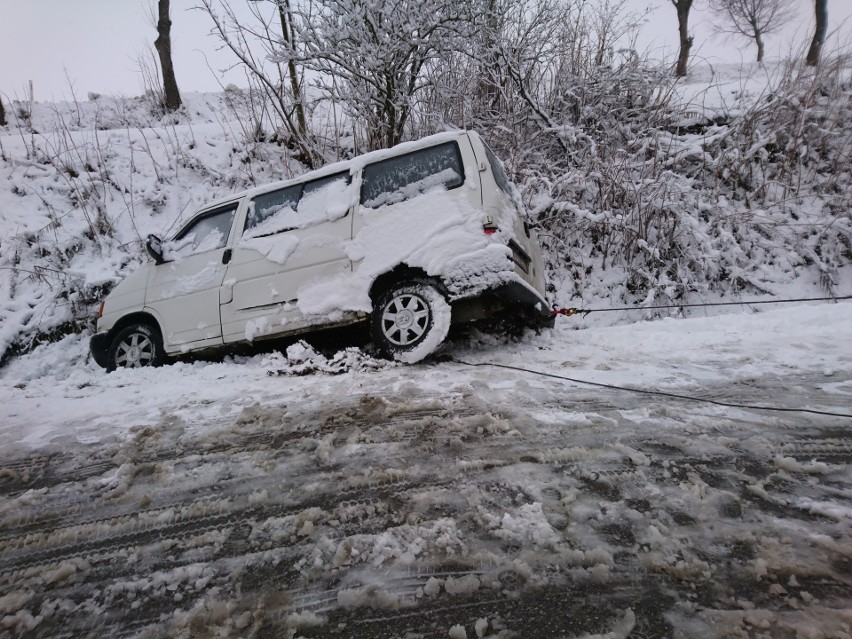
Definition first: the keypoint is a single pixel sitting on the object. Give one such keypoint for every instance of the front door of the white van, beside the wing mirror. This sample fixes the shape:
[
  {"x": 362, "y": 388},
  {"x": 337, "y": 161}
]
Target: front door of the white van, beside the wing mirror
[{"x": 183, "y": 292}]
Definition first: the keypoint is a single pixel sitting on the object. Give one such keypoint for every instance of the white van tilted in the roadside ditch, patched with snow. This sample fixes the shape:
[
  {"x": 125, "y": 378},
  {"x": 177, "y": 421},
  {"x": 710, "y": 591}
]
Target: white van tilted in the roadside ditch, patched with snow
[{"x": 410, "y": 239}]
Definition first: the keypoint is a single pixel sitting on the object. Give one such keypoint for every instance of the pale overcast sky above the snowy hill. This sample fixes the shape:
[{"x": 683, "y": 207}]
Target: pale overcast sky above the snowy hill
[{"x": 96, "y": 43}]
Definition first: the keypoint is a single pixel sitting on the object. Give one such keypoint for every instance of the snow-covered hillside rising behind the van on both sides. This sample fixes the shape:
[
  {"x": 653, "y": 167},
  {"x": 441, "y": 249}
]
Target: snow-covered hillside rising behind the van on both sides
[{"x": 81, "y": 184}]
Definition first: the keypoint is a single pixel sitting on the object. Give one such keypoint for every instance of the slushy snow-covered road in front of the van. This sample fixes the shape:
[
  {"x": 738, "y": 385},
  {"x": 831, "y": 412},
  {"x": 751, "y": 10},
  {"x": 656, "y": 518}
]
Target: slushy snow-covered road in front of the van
[{"x": 442, "y": 500}]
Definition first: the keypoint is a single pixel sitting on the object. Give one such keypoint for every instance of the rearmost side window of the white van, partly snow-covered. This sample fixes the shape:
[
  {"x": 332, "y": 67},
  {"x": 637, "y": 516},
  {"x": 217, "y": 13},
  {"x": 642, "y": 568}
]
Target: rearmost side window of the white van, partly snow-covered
[{"x": 406, "y": 176}]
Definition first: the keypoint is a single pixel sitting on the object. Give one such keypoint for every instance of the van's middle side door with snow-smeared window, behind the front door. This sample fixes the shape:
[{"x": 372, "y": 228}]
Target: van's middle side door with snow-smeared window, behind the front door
[{"x": 291, "y": 237}]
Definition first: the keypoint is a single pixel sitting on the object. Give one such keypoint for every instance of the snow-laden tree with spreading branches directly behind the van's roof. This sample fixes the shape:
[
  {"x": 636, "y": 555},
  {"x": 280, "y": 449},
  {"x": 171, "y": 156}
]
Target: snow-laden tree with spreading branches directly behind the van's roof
[{"x": 370, "y": 55}]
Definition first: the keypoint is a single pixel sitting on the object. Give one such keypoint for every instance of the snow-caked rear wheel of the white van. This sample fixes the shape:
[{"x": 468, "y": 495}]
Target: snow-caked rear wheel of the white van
[{"x": 410, "y": 320}]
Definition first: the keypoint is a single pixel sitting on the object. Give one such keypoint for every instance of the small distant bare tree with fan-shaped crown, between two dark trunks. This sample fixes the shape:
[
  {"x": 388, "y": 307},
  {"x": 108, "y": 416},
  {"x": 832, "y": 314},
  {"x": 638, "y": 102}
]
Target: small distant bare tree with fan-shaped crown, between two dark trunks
[{"x": 753, "y": 19}]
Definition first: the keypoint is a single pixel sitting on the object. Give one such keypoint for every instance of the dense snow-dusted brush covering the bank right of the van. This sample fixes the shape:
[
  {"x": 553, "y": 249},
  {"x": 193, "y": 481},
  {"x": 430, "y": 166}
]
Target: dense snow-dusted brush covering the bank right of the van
[{"x": 729, "y": 207}]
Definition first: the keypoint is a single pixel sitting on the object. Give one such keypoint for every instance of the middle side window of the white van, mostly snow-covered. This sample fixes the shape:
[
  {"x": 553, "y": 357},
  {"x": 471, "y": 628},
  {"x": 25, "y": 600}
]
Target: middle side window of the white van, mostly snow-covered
[{"x": 298, "y": 206}]
